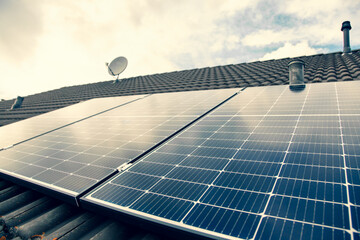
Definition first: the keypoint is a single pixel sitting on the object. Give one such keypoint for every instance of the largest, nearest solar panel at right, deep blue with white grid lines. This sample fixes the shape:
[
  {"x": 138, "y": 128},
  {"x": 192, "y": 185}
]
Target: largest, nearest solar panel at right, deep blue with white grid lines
[{"x": 268, "y": 164}]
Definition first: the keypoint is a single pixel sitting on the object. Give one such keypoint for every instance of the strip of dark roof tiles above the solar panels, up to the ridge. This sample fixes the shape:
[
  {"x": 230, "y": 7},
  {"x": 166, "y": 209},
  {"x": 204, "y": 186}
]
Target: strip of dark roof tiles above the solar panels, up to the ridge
[{"x": 318, "y": 68}]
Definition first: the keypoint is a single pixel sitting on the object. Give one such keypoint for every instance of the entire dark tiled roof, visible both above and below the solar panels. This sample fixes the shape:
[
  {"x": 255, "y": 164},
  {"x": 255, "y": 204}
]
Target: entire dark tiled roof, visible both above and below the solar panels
[{"x": 26, "y": 213}]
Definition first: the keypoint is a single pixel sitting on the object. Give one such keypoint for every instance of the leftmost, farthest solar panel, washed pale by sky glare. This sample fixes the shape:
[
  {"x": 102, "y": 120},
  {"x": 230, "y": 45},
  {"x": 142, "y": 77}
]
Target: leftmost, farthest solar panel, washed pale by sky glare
[{"x": 32, "y": 127}]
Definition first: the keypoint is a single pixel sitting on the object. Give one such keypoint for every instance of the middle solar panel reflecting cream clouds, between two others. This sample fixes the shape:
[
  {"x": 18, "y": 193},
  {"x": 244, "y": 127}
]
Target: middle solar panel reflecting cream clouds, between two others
[{"x": 75, "y": 157}]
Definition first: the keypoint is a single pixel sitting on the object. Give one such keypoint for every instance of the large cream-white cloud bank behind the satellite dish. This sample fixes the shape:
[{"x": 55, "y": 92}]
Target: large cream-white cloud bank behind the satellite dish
[{"x": 75, "y": 38}]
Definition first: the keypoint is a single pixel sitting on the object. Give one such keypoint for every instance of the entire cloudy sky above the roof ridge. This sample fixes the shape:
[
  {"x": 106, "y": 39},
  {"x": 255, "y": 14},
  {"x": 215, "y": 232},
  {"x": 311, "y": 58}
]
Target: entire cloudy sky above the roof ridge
[{"x": 48, "y": 44}]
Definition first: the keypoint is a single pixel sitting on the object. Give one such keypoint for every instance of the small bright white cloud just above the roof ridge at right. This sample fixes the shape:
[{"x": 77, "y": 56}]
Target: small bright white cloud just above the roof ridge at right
[{"x": 290, "y": 50}]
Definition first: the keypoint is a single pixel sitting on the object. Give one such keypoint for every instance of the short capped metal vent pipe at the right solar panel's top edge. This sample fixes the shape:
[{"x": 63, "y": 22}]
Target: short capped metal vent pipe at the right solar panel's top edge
[{"x": 296, "y": 75}]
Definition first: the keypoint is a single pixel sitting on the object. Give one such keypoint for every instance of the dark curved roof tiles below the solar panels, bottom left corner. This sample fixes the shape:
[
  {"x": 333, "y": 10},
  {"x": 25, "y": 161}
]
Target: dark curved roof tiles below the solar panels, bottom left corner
[{"x": 26, "y": 214}]
